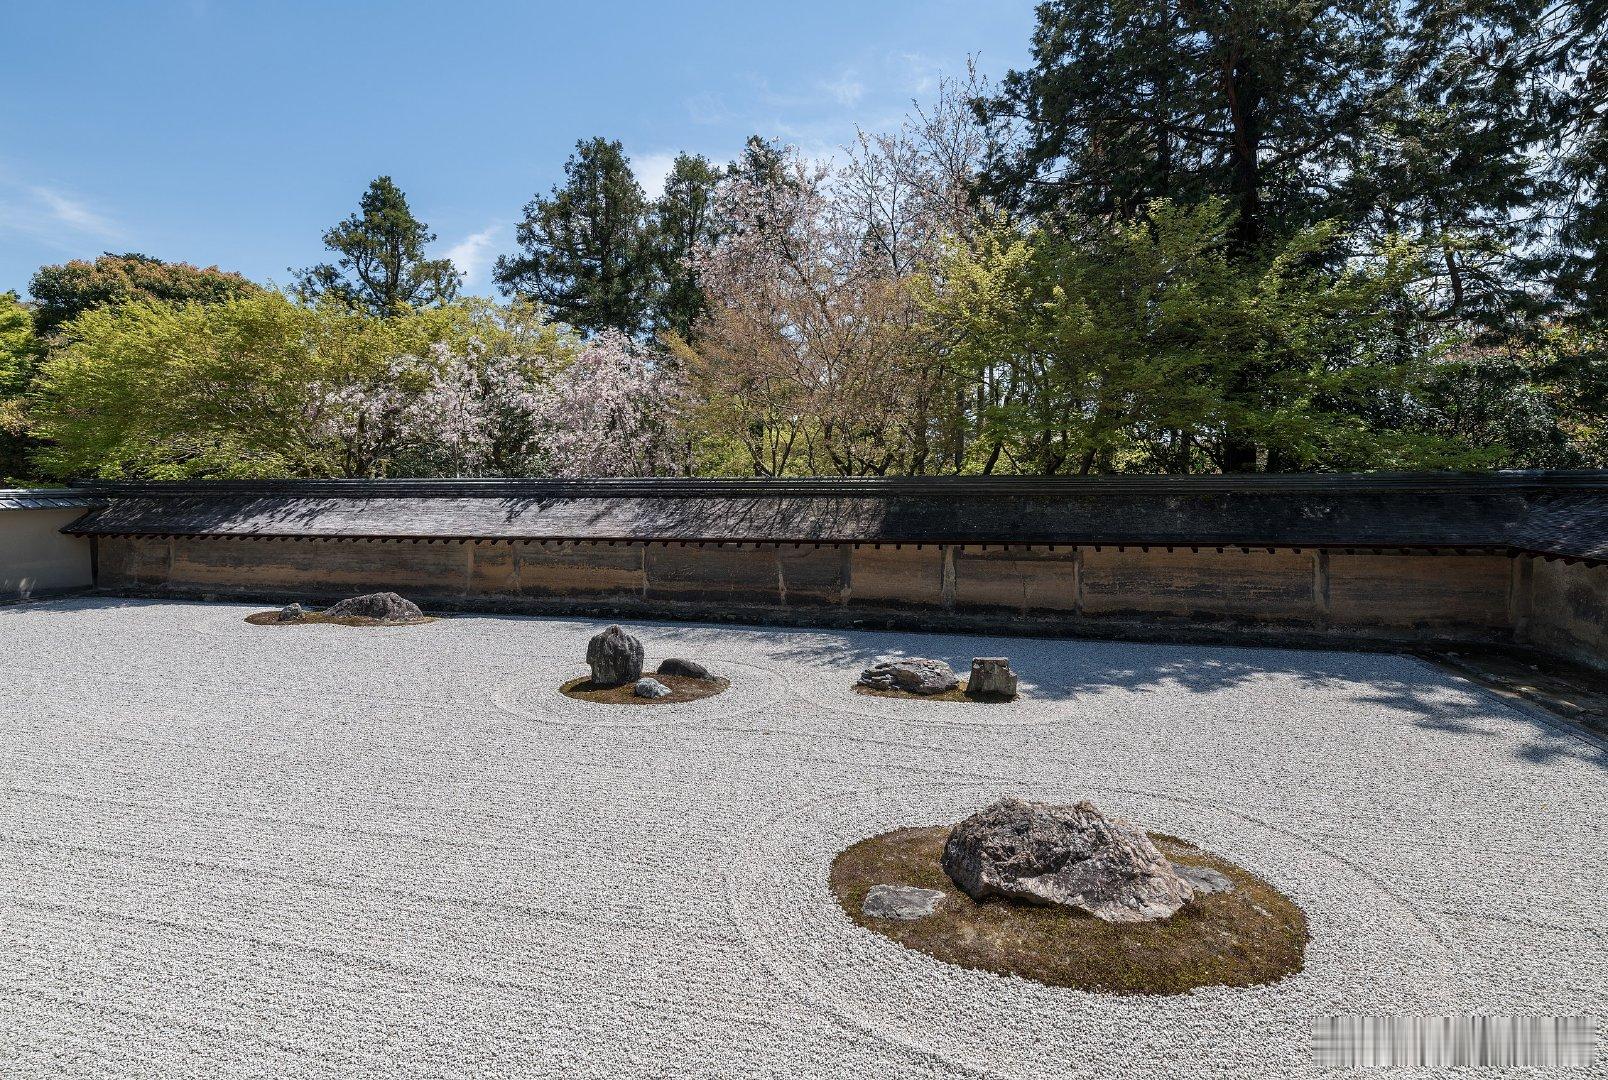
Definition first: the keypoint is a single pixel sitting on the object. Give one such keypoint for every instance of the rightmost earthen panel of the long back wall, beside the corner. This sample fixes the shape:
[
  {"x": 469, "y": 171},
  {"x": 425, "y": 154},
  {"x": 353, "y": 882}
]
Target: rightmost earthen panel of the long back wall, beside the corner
[{"x": 1405, "y": 592}]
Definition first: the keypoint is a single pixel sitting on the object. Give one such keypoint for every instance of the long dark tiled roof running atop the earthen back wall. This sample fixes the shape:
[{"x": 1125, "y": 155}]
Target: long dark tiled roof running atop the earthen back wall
[{"x": 1551, "y": 513}]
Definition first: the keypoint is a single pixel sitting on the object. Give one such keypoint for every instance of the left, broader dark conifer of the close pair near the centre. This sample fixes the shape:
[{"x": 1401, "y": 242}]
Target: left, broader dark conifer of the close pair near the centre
[{"x": 586, "y": 250}]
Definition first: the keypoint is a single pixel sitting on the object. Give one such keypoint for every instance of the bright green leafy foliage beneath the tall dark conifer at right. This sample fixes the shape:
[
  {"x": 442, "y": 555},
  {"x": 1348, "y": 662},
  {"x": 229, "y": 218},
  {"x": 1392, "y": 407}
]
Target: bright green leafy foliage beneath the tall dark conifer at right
[{"x": 1151, "y": 348}]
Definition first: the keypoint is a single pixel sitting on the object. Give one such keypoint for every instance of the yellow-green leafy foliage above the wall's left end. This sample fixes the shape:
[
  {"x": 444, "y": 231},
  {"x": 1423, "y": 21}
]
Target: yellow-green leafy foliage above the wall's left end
[{"x": 236, "y": 390}]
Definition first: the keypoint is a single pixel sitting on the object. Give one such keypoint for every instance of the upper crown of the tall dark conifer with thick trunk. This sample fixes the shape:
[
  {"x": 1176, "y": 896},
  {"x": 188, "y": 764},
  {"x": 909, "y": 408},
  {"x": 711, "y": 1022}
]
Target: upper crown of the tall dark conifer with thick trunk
[{"x": 1257, "y": 102}]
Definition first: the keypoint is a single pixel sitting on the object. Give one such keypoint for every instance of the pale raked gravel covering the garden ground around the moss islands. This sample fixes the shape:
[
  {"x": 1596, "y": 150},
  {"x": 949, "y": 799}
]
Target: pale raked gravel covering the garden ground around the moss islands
[{"x": 236, "y": 851}]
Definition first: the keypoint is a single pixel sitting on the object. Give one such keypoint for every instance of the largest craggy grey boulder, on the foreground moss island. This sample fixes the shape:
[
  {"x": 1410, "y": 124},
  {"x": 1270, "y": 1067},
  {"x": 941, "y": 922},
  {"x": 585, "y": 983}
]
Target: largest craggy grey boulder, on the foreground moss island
[{"x": 1073, "y": 857}]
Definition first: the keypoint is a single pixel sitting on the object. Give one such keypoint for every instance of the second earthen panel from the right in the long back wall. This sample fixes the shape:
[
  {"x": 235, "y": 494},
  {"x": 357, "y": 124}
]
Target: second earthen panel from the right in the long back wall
[{"x": 1202, "y": 586}]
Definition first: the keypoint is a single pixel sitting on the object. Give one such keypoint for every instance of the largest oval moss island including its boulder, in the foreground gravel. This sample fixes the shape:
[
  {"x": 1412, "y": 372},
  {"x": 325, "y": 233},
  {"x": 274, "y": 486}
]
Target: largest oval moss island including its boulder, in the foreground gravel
[{"x": 1065, "y": 896}]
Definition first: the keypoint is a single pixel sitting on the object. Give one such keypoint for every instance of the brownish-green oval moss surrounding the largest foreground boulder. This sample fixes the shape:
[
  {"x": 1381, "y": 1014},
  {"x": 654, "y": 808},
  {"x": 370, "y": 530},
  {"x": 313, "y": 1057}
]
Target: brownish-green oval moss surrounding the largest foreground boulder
[{"x": 1250, "y": 936}]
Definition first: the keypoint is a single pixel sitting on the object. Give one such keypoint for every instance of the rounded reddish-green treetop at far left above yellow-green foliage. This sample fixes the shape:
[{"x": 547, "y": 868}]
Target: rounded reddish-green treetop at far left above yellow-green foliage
[{"x": 62, "y": 293}]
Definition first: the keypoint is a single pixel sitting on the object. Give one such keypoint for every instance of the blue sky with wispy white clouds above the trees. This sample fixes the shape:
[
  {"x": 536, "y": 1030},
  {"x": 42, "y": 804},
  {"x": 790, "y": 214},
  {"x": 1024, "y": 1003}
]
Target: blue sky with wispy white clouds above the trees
[{"x": 236, "y": 134}]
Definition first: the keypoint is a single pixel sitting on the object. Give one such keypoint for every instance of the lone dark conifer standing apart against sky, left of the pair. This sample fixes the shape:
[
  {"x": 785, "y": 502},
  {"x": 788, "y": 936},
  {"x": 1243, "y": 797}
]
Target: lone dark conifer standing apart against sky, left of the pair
[{"x": 382, "y": 266}]
